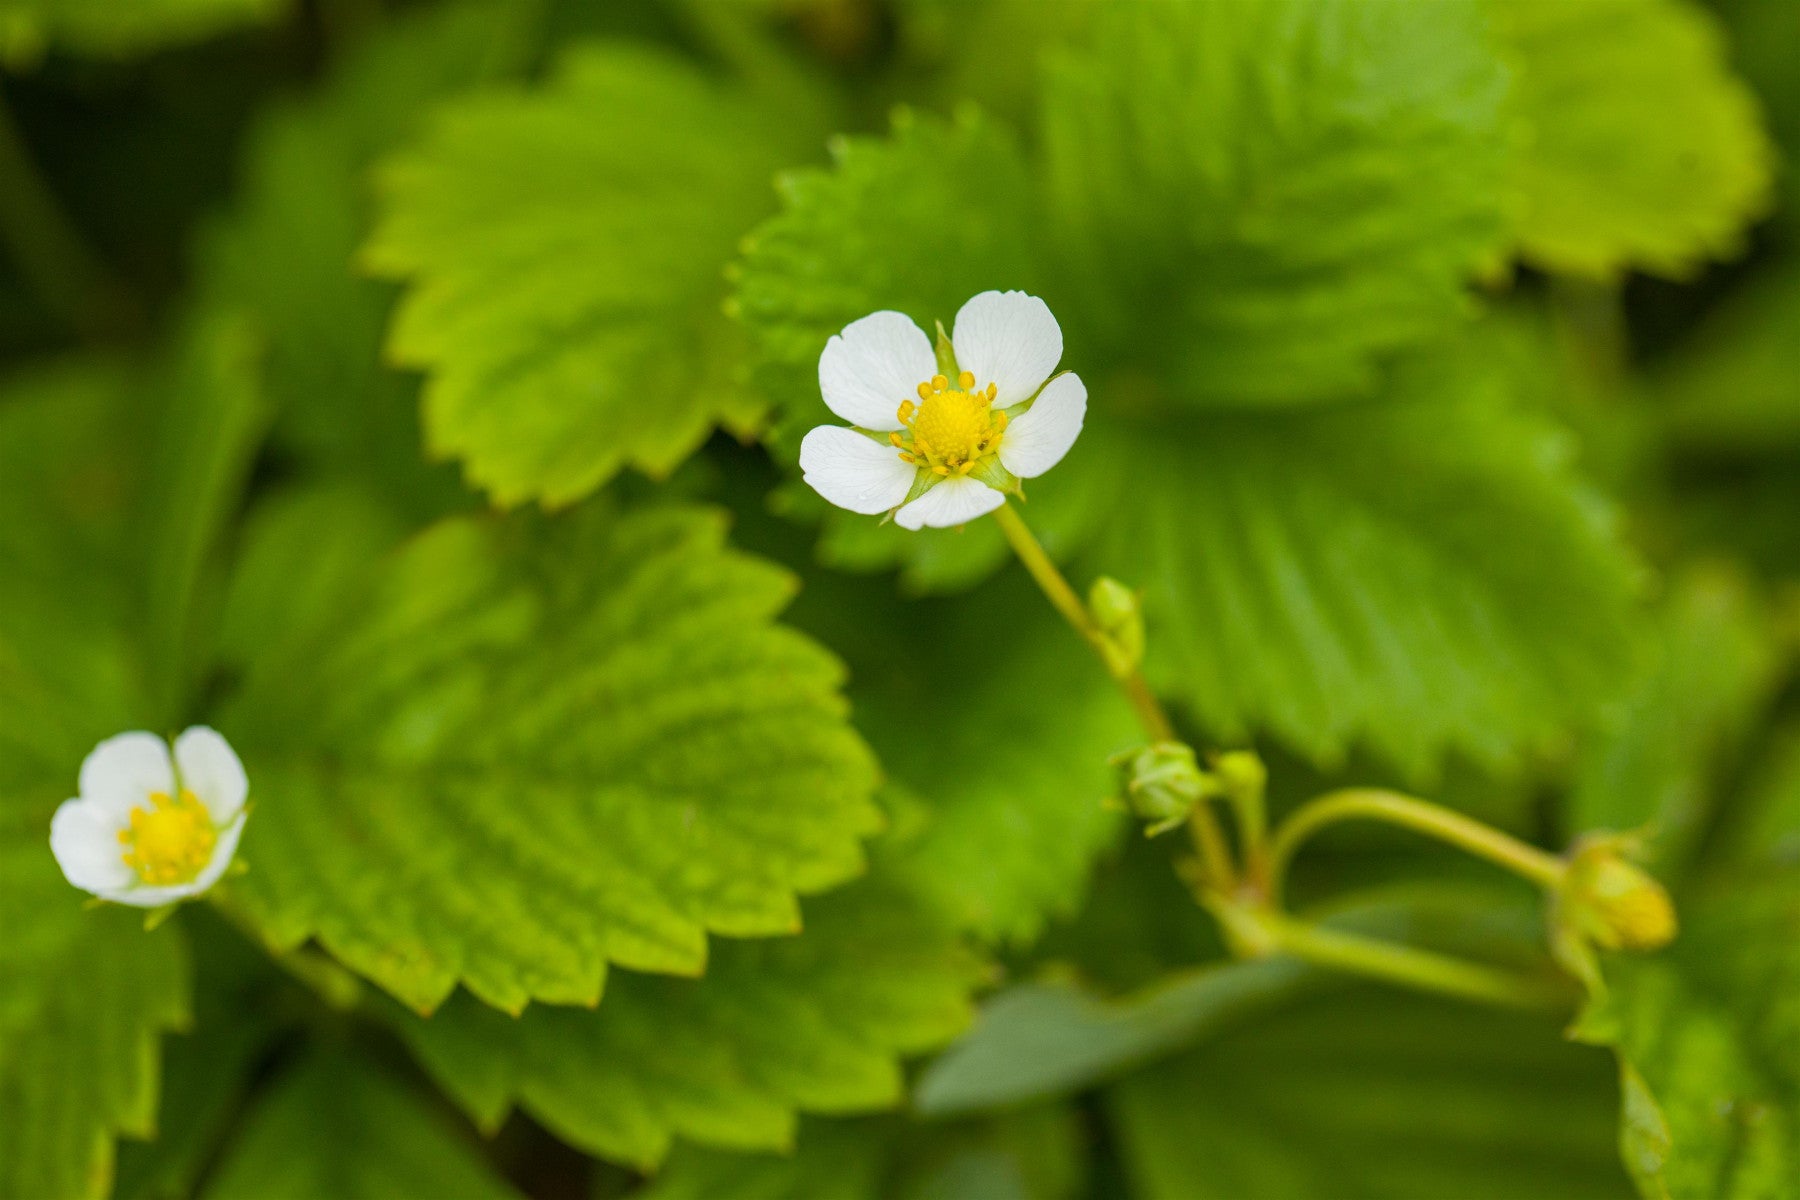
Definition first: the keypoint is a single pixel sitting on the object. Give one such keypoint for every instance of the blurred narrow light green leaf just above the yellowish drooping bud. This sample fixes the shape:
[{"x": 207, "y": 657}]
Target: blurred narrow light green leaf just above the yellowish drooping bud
[{"x": 1657, "y": 767}]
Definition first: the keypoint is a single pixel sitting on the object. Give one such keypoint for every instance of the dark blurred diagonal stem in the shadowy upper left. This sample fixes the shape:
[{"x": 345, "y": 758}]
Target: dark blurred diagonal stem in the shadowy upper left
[{"x": 46, "y": 246}]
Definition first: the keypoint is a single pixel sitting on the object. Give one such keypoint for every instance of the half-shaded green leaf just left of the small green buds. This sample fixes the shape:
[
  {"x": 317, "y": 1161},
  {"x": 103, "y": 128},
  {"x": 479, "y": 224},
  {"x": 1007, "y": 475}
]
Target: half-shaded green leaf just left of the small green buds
[{"x": 1012, "y": 771}]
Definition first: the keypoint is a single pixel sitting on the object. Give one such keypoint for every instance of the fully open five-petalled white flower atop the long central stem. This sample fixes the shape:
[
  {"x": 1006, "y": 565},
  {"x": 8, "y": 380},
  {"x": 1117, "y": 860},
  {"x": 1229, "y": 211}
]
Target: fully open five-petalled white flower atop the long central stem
[{"x": 944, "y": 452}]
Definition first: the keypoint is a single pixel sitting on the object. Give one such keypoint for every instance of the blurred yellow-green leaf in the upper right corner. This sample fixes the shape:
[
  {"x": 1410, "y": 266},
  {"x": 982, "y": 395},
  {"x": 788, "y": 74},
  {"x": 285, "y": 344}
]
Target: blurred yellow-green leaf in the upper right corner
[{"x": 1642, "y": 152}]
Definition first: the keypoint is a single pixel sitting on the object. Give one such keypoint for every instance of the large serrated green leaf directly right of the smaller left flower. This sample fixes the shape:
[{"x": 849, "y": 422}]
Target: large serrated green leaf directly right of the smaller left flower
[{"x": 517, "y": 751}]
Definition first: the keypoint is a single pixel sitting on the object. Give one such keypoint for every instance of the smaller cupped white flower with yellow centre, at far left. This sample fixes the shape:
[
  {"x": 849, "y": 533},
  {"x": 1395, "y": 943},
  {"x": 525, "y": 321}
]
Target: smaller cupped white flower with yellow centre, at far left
[{"x": 148, "y": 832}]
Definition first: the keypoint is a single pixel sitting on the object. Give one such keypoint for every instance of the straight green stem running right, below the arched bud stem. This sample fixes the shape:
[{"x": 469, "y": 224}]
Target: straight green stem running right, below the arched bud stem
[{"x": 1410, "y": 967}]
